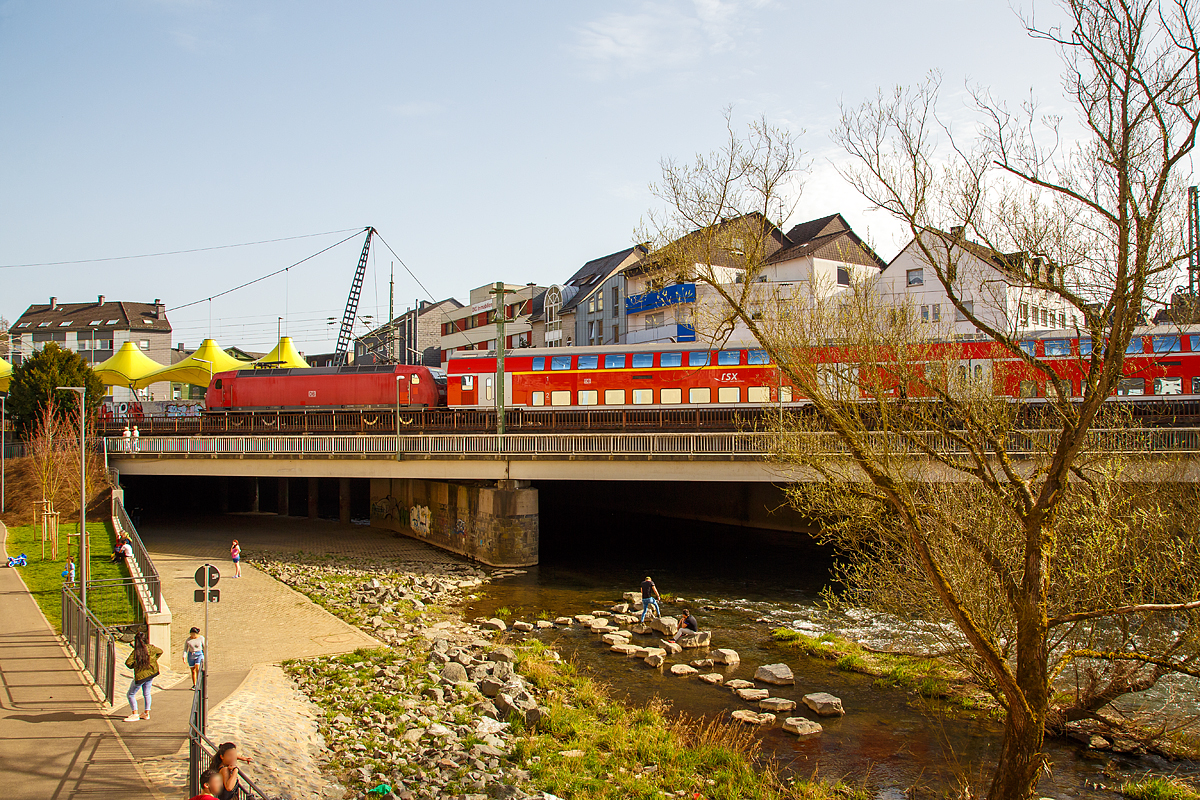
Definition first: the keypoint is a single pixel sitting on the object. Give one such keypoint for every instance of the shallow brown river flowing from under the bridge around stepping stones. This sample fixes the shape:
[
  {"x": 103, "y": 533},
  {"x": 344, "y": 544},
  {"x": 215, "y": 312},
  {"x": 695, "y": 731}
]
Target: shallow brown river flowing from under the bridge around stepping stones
[{"x": 731, "y": 578}]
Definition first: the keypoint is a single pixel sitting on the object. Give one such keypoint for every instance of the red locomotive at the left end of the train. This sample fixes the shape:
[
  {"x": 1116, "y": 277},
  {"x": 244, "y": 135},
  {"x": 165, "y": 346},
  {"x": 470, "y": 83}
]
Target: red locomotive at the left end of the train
[{"x": 375, "y": 387}]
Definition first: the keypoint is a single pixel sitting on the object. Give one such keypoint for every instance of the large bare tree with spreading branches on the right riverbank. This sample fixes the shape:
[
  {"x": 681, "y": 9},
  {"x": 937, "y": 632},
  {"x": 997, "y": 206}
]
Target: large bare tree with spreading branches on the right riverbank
[{"x": 1051, "y": 556}]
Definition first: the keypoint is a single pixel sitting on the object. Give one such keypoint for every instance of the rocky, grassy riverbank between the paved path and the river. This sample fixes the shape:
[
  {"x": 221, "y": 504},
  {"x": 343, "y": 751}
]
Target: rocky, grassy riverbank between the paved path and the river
[{"x": 452, "y": 707}]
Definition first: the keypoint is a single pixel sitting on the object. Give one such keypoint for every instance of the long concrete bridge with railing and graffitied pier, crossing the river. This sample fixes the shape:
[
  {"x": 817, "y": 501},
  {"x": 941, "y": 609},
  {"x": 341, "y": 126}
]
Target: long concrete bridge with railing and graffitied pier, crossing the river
[{"x": 475, "y": 494}]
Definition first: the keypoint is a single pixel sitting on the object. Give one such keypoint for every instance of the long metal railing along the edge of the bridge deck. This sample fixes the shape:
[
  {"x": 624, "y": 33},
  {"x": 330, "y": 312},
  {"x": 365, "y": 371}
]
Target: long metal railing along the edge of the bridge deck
[{"x": 746, "y": 446}]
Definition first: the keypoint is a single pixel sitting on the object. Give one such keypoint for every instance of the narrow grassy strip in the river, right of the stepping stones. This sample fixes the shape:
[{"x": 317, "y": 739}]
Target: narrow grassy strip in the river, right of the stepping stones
[{"x": 929, "y": 678}]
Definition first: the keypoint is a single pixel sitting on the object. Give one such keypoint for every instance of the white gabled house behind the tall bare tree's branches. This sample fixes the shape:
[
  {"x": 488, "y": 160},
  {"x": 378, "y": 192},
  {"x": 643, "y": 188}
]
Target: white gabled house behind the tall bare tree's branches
[{"x": 997, "y": 288}]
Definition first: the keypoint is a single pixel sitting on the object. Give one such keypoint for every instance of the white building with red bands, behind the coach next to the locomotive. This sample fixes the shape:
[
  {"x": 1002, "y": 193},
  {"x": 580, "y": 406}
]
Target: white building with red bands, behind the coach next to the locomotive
[{"x": 473, "y": 327}]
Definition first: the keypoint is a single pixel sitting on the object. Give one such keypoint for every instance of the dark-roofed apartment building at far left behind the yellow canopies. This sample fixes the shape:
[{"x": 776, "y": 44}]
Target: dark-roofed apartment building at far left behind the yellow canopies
[{"x": 97, "y": 330}]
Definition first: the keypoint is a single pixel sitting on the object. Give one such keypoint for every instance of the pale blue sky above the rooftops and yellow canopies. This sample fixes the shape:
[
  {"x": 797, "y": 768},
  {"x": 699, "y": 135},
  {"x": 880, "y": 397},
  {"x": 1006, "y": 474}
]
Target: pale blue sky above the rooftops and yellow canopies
[{"x": 484, "y": 141}]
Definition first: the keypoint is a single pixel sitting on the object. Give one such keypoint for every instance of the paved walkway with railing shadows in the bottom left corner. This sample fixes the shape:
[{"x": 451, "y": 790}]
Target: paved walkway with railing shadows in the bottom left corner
[{"x": 57, "y": 742}]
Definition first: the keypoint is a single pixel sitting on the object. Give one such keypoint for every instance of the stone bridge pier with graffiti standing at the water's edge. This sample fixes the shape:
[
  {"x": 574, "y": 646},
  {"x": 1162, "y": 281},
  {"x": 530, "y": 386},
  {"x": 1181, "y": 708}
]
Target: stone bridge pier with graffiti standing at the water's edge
[{"x": 496, "y": 525}]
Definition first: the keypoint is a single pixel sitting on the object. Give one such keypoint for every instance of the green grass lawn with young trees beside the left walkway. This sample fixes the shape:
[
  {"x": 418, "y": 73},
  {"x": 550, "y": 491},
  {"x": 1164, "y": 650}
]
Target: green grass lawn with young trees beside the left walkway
[{"x": 45, "y": 579}]
